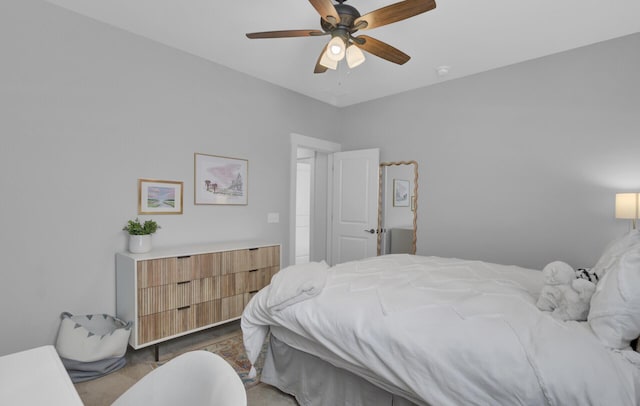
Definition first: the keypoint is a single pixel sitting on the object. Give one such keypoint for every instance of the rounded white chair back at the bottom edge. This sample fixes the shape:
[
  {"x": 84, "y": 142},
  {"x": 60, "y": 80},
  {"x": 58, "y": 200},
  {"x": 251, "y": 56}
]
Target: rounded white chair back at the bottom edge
[{"x": 196, "y": 378}]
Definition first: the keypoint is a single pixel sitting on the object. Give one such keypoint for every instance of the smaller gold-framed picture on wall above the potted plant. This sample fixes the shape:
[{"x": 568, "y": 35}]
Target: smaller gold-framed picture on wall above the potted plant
[{"x": 159, "y": 196}]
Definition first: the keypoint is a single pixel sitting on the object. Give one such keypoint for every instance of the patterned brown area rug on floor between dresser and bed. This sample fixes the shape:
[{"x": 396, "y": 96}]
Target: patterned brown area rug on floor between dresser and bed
[{"x": 231, "y": 348}]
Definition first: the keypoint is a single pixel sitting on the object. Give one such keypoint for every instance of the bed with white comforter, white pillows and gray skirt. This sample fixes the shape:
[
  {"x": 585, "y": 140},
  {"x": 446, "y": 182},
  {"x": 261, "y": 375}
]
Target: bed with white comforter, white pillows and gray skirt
[{"x": 403, "y": 329}]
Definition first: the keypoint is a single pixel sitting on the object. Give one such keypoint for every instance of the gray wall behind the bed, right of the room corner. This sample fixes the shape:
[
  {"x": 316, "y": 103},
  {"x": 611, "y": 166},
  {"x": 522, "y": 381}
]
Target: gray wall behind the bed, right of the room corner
[{"x": 519, "y": 165}]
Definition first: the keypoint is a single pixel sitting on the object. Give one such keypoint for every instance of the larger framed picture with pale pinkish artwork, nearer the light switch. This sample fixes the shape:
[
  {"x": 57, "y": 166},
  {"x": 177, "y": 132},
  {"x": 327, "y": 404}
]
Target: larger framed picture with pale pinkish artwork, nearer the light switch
[{"x": 220, "y": 180}]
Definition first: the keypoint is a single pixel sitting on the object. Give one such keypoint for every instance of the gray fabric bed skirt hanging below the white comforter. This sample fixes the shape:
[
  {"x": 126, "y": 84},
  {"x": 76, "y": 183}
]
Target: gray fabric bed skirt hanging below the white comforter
[{"x": 315, "y": 382}]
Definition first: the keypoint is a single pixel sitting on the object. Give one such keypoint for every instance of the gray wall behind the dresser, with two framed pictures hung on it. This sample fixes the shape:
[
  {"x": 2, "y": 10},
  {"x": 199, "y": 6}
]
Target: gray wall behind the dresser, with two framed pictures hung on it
[{"x": 86, "y": 110}]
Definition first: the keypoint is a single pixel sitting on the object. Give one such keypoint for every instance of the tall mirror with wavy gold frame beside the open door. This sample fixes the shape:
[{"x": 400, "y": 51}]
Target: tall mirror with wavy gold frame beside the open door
[{"x": 397, "y": 207}]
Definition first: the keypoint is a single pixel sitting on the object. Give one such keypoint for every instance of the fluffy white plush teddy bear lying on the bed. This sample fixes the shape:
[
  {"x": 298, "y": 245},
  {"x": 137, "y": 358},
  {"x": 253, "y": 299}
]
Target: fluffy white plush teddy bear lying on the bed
[{"x": 564, "y": 295}]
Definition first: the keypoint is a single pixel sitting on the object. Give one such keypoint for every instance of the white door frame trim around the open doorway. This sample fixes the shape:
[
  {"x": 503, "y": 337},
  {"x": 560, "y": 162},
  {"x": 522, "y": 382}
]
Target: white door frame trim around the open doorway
[{"x": 316, "y": 144}]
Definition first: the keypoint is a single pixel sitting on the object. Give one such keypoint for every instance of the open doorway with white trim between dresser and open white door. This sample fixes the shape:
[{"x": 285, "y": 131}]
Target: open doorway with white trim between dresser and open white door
[{"x": 310, "y": 196}]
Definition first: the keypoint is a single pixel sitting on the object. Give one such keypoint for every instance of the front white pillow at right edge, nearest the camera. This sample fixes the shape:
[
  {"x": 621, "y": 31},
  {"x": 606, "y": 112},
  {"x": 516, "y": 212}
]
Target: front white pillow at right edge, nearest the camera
[{"x": 615, "y": 306}]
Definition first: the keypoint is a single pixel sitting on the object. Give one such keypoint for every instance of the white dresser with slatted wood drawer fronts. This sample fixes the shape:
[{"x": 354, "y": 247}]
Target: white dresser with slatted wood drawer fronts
[{"x": 171, "y": 292}]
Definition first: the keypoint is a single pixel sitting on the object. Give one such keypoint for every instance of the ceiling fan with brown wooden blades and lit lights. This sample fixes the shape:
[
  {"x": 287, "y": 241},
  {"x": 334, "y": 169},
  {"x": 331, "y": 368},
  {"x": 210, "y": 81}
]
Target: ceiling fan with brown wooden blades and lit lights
[{"x": 342, "y": 21}]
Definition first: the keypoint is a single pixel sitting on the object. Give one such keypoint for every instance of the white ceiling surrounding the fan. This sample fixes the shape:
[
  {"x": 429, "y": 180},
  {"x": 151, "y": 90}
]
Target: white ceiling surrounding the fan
[{"x": 470, "y": 36}]
